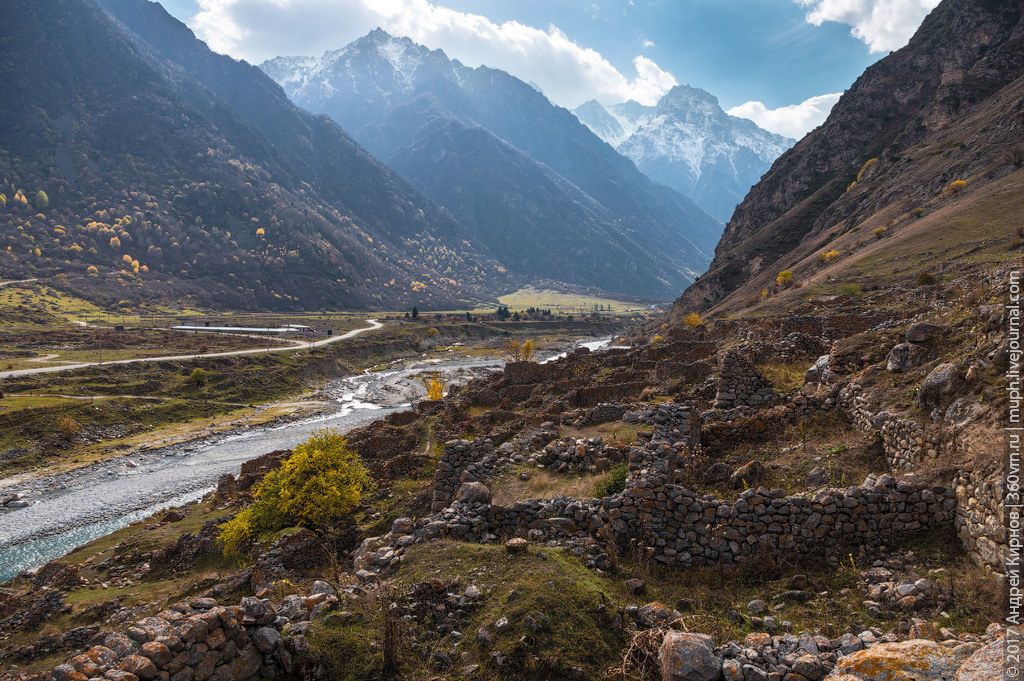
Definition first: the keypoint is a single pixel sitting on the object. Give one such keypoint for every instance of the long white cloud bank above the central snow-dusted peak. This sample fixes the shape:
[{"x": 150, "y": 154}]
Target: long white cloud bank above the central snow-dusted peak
[{"x": 568, "y": 73}]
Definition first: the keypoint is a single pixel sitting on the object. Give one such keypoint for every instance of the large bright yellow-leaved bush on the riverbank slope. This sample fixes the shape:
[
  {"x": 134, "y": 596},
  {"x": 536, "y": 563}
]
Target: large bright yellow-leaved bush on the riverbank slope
[{"x": 322, "y": 481}]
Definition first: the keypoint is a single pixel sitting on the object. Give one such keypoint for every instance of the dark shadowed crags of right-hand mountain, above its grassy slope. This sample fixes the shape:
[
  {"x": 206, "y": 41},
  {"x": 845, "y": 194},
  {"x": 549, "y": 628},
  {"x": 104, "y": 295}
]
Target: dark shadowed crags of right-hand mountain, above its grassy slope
[{"x": 964, "y": 54}]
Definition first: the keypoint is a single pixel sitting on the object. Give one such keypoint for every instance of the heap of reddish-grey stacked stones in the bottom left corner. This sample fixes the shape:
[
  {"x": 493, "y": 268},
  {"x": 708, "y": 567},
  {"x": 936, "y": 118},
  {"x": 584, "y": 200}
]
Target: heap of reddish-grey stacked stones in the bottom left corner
[{"x": 192, "y": 642}]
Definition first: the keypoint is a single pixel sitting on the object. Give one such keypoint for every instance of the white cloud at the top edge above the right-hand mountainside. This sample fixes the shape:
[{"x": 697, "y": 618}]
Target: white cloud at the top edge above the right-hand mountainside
[{"x": 882, "y": 25}]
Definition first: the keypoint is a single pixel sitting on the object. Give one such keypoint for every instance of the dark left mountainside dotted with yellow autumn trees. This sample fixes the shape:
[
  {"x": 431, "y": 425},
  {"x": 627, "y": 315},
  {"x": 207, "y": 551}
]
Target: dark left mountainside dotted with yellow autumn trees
[{"x": 169, "y": 172}]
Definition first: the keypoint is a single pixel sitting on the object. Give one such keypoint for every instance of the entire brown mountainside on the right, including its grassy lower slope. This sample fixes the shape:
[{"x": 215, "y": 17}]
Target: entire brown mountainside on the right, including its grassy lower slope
[{"x": 916, "y": 168}]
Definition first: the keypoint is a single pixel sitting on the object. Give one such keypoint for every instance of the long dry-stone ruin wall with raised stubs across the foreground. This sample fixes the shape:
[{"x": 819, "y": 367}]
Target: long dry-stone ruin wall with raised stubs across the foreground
[{"x": 681, "y": 528}]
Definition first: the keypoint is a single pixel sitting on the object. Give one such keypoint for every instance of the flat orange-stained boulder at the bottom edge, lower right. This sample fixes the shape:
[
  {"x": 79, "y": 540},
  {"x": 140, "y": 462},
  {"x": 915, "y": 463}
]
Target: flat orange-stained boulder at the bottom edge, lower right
[{"x": 908, "y": 661}]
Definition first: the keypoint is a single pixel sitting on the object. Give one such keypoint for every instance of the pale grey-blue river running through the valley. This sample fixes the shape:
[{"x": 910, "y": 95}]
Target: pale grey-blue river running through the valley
[{"x": 74, "y": 508}]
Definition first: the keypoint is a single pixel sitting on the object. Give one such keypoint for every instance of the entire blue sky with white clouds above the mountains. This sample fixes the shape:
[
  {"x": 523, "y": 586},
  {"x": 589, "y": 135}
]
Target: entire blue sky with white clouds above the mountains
[{"x": 782, "y": 64}]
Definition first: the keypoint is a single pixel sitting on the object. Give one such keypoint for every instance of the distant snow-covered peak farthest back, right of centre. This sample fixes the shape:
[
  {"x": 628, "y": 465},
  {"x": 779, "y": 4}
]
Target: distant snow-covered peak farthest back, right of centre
[{"x": 690, "y": 144}]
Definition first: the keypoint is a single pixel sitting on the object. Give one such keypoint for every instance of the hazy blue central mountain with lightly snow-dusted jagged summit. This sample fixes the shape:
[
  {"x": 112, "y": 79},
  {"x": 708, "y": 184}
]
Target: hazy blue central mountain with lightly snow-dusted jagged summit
[{"x": 532, "y": 184}]
